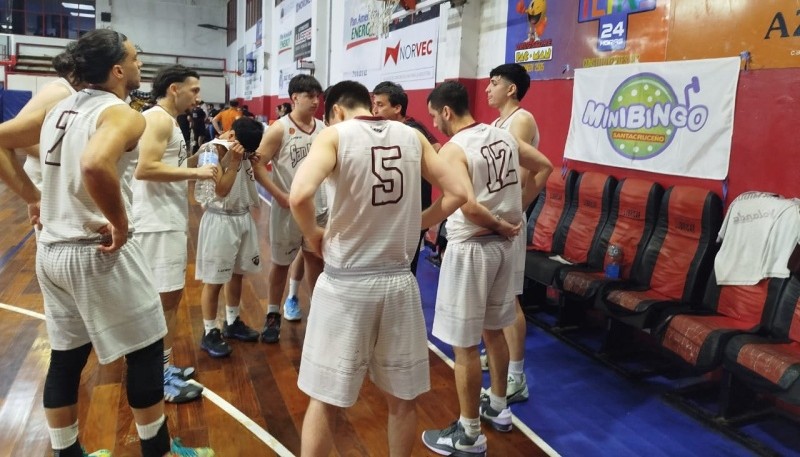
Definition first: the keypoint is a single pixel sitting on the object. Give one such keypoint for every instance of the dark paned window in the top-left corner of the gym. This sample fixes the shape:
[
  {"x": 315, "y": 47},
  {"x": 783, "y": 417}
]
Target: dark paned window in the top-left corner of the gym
[{"x": 51, "y": 18}]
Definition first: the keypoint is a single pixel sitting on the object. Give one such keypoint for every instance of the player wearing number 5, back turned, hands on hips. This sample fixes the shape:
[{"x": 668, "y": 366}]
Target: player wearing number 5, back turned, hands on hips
[{"x": 366, "y": 312}]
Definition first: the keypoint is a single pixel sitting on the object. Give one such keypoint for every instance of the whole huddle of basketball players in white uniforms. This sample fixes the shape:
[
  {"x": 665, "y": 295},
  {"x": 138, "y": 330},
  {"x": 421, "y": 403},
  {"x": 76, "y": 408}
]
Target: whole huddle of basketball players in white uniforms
[{"x": 107, "y": 188}]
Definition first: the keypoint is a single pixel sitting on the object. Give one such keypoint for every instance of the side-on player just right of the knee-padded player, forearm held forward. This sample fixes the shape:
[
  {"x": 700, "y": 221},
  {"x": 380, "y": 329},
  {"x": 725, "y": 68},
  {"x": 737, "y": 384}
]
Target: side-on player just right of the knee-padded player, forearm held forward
[{"x": 161, "y": 206}]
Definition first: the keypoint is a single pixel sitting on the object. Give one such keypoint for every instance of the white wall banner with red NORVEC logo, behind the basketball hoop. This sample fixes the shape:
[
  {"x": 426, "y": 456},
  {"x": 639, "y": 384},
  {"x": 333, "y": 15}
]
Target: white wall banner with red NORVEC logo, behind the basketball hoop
[{"x": 407, "y": 56}]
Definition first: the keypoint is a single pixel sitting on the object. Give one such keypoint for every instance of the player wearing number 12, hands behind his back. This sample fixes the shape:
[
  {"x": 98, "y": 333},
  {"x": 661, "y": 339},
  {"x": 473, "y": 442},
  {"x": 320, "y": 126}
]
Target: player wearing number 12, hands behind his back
[{"x": 475, "y": 293}]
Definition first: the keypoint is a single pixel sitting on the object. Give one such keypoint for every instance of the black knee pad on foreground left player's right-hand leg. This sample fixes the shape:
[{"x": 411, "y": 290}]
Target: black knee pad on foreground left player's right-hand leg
[{"x": 145, "y": 378}]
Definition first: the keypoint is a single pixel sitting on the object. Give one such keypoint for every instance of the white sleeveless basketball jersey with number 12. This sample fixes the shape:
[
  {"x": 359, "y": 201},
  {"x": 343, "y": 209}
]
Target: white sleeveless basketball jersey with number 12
[{"x": 493, "y": 165}]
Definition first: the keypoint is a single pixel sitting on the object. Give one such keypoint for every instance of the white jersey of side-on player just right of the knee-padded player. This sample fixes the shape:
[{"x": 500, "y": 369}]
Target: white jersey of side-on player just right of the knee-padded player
[{"x": 163, "y": 206}]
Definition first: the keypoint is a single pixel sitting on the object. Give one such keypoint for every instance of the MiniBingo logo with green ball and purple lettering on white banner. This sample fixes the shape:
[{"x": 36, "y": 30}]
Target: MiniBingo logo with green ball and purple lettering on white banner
[{"x": 644, "y": 115}]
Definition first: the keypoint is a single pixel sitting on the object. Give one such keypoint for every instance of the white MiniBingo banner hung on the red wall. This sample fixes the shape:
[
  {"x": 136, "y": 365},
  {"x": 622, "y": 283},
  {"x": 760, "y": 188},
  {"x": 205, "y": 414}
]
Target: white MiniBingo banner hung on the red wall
[{"x": 674, "y": 118}]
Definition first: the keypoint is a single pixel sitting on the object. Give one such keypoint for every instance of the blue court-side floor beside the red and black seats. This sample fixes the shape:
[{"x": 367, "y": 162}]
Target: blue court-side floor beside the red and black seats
[{"x": 581, "y": 407}]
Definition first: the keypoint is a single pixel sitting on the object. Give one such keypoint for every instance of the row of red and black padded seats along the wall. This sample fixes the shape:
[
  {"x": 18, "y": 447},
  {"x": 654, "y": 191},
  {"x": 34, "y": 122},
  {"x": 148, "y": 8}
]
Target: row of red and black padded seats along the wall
[{"x": 666, "y": 287}]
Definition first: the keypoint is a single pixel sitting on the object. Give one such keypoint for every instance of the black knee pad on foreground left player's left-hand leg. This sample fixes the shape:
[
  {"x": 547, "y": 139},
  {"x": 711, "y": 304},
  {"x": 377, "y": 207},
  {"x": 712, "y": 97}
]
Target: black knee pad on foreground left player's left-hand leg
[{"x": 64, "y": 376}]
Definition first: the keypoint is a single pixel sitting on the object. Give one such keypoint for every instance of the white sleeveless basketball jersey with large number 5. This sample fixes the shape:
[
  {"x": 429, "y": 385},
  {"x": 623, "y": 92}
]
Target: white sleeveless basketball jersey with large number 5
[{"x": 374, "y": 197}]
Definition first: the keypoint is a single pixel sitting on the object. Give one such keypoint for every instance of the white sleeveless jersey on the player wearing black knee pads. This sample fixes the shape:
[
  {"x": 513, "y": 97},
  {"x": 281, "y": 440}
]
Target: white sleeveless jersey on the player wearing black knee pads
[{"x": 68, "y": 213}]
